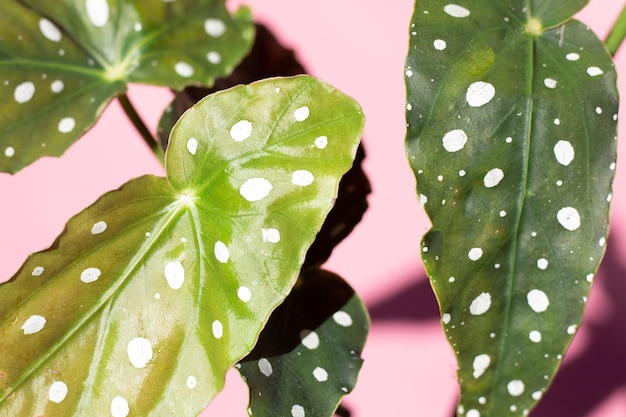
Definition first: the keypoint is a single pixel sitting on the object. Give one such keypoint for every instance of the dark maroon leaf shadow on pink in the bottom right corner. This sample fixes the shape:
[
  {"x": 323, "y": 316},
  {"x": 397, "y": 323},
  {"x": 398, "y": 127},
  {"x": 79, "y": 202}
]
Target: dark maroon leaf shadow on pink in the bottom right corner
[{"x": 585, "y": 382}]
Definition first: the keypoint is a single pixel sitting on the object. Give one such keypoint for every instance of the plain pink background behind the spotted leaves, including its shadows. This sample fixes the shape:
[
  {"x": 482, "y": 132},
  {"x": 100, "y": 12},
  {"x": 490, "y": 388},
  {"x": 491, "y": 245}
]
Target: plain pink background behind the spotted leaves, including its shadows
[{"x": 409, "y": 370}]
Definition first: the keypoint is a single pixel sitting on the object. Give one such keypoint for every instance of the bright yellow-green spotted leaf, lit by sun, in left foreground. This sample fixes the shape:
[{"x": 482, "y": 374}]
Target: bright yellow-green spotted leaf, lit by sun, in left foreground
[{"x": 154, "y": 292}]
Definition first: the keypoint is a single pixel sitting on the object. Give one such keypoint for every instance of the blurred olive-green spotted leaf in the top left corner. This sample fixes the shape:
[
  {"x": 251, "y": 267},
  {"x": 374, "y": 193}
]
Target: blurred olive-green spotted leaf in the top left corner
[{"x": 62, "y": 62}]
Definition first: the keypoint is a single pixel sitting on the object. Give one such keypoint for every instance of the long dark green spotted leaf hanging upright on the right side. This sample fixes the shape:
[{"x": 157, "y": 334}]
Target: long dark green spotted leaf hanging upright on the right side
[{"x": 512, "y": 137}]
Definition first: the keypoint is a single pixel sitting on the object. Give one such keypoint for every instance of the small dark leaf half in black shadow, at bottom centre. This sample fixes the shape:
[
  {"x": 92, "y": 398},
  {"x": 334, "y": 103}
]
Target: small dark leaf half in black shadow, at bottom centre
[{"x": 307, "y": 357}]
